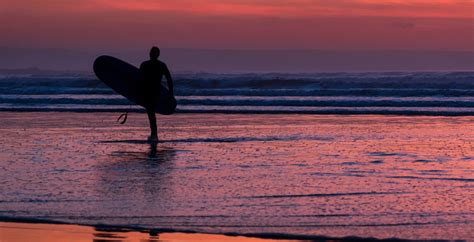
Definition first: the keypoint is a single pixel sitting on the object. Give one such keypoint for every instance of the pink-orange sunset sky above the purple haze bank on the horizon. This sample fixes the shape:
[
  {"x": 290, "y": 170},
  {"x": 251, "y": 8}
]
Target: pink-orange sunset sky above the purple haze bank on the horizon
[{"x": 239, "y": 24}]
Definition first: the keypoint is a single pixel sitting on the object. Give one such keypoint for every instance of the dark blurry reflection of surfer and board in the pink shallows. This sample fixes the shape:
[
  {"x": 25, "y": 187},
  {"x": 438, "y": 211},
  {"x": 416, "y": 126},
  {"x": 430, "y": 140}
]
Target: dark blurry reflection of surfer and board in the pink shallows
[{"x": 141, "y": 175}]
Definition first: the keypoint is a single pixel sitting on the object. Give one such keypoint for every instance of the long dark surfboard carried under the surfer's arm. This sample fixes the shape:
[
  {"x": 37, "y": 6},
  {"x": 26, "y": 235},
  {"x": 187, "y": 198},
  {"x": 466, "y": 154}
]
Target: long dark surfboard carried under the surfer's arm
[{"x": 126, "y": 79}]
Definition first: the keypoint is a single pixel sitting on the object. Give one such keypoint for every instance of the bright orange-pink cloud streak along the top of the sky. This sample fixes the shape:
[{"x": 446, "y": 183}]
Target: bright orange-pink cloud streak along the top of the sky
[{"x": 274, "y": 8}]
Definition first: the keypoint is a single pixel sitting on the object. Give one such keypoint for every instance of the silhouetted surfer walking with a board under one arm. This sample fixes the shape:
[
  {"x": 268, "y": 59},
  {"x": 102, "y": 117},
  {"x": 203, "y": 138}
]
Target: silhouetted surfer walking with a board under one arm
[{"x": 153, "y": 71}]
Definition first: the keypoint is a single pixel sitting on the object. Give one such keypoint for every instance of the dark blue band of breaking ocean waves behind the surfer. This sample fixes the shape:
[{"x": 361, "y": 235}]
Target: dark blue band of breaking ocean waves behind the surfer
[{"x": 436, "y": 93}]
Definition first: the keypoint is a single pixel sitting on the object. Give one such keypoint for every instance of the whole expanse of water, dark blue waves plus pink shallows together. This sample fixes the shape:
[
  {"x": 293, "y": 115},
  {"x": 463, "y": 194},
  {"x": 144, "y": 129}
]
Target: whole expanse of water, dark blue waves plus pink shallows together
[{"x": 307, "y": 156}]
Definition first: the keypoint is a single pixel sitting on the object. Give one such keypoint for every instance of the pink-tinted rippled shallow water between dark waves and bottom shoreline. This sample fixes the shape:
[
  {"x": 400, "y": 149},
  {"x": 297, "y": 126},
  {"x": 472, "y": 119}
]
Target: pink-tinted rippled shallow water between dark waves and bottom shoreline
[{"x": 367, "y": 176}]
